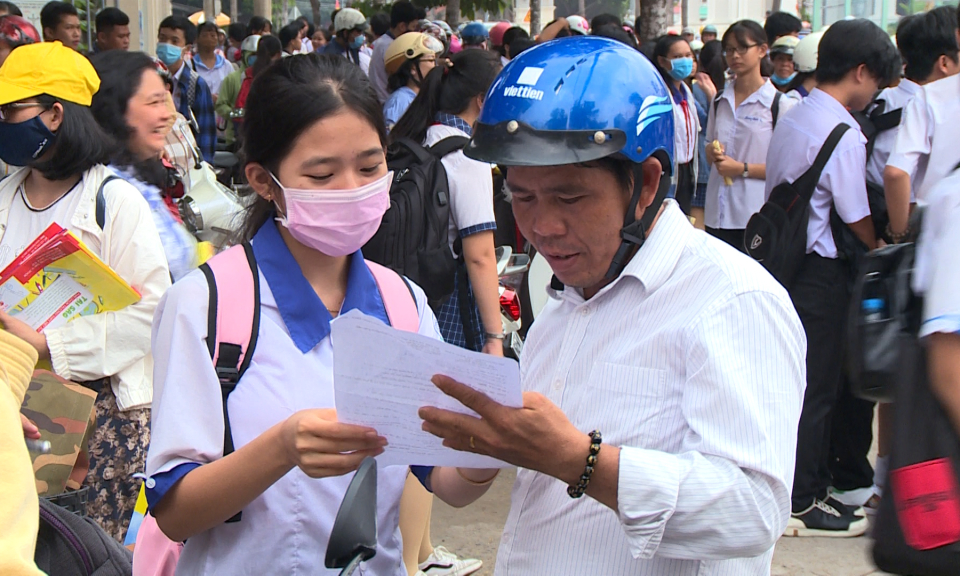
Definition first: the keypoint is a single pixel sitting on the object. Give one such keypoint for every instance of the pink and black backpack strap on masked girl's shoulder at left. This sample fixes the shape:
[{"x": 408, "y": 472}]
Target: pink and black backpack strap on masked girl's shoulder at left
[{"x": 233, "y": 322}]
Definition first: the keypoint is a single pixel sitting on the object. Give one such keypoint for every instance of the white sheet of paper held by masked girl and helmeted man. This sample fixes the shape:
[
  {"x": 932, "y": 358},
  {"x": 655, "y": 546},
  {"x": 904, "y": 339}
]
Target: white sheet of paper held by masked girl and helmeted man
[{"x": 381, "y": 379}]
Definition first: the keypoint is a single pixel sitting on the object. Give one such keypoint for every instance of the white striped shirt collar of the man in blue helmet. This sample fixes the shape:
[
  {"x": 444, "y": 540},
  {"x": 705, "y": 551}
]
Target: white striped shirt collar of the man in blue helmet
[{"x": 658, "y": 256}]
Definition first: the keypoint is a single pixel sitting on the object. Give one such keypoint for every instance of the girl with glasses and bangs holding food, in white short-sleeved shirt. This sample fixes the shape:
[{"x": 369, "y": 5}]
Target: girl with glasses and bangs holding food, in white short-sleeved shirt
[{"x": 741, "y": 119}]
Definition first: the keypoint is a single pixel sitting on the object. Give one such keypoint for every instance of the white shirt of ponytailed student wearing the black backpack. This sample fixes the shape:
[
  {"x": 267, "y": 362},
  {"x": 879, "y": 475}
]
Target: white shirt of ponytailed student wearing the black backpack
[{"x": 471, "y": 188}]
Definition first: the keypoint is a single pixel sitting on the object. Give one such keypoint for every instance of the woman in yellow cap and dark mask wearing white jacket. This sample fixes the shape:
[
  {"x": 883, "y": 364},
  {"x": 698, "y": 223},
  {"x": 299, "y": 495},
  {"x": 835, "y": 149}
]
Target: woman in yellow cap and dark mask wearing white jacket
[{"x": 47, "y": 128}]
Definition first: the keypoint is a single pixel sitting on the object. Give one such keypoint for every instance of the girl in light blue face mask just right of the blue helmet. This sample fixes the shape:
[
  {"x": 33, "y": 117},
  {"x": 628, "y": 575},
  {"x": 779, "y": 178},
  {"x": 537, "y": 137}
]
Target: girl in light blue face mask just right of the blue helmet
[{"x": 674, "y": 58}]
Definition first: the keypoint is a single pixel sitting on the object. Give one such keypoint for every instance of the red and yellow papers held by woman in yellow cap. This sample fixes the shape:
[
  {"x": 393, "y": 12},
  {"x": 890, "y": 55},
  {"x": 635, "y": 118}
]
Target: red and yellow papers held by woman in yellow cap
[{"x": 56, "y": 279}]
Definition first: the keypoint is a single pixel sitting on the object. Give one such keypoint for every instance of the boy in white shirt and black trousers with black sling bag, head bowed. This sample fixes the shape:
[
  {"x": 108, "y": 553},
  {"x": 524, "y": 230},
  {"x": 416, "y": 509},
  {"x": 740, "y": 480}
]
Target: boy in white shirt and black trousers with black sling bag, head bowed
[{"x": 856, "y": 59}]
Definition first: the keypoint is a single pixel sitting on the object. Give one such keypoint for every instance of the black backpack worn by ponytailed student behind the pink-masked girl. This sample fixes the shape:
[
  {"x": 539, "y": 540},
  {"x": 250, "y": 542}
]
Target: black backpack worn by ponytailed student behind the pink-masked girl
[{"x": 413, "y": 238}]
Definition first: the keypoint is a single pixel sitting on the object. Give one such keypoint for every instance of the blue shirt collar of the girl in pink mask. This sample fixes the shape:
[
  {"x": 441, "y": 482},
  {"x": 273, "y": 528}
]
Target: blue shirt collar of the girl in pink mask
[{"x": 303, "y": 313}]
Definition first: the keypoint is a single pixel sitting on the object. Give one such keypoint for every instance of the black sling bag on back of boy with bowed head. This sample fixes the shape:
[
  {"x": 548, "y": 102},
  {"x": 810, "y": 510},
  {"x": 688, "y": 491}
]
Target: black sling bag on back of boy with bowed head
[{"x": 777, "y": 235}]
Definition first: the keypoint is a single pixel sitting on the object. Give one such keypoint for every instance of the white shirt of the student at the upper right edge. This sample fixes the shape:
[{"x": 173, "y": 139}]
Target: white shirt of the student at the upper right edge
[{"x": 926, "y": 145}]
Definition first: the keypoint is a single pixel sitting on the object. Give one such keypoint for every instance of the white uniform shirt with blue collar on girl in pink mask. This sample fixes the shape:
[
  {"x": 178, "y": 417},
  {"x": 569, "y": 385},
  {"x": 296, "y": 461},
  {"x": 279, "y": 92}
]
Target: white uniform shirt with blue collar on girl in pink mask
[{"x": 284, "y": 530}]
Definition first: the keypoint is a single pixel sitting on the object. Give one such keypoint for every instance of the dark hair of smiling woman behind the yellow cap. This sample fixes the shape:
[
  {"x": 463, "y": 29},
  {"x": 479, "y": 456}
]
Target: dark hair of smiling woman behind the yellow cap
[{"x": 120, "y": 75}]
